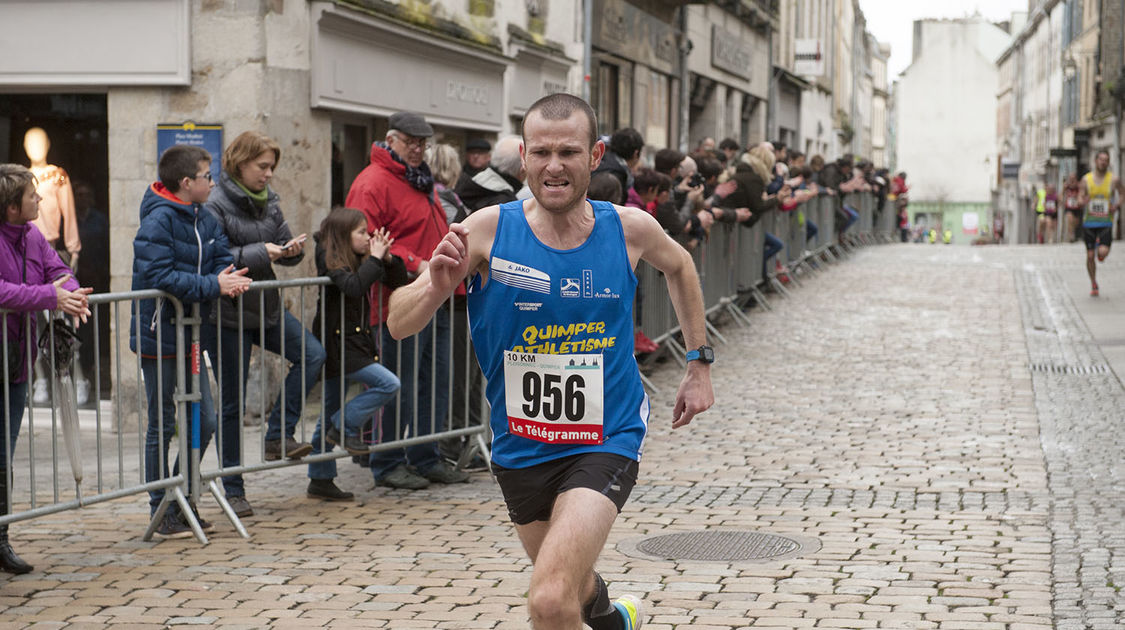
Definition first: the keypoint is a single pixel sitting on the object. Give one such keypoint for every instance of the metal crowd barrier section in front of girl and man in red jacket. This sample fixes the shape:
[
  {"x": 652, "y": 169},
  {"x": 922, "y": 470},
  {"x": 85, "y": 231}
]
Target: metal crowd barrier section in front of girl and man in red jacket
[{"x": 463, "y": 402}]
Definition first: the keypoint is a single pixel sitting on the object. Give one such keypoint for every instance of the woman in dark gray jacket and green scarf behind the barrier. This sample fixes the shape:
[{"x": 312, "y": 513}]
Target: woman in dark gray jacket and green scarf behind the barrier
[{"x": 260, "y": 238}]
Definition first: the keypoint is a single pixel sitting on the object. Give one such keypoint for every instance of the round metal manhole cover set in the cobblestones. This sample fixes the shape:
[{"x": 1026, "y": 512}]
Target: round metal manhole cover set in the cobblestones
[{"x": 722, "y": 546}]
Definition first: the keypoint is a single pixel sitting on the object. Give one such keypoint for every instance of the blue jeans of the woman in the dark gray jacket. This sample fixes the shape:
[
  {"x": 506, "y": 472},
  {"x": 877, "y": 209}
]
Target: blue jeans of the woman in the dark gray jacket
[{"x": 232, "y": 379}]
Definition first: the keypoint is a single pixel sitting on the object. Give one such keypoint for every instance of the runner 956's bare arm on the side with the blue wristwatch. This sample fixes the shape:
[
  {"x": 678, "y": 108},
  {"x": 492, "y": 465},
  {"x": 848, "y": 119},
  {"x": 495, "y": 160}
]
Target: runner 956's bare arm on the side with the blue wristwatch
[{"x": 645, "y": 237}]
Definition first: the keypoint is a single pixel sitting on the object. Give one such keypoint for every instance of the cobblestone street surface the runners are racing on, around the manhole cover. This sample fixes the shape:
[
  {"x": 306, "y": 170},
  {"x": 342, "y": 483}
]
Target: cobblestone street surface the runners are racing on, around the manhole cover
[{"x": 940, "y": 425}]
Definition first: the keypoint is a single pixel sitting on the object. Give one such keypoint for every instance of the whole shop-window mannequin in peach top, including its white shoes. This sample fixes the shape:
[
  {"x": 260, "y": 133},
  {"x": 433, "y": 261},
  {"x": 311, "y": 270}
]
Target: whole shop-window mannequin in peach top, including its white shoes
[{"x": 59, "y": 226}]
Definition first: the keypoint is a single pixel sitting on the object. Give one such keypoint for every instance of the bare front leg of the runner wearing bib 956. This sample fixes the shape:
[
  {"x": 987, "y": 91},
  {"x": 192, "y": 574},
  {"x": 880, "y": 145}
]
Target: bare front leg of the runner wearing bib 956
[{"x": 564, "y": 553}]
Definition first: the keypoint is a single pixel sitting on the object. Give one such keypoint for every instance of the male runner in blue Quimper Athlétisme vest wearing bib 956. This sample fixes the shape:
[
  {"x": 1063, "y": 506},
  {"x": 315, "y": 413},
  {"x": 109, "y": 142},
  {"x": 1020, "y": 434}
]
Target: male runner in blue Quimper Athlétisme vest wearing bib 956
[{"x": 569, "y": 411}]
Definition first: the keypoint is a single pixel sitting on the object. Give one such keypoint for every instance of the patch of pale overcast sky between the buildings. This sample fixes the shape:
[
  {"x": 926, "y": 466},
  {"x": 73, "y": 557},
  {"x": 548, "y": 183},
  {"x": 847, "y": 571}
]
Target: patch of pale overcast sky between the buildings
[{"x": 892, "y": 22}]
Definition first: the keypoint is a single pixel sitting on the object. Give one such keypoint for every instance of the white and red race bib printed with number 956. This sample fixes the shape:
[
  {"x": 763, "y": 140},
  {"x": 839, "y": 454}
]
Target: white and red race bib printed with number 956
[{"x": 555, "y": 399}]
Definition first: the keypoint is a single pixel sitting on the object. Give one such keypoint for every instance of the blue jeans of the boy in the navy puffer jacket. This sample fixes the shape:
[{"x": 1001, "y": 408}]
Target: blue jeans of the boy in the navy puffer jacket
[{"x": 156, "y": 448}]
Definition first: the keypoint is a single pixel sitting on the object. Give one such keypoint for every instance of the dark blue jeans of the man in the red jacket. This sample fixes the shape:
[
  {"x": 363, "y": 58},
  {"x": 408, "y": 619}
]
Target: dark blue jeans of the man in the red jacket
[{"x": 429, "y": 385}]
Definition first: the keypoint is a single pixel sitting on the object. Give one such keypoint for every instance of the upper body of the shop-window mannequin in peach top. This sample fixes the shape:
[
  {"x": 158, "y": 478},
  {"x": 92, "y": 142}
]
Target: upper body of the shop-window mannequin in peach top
[{"x": 57, "y": 220}]
